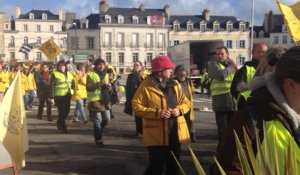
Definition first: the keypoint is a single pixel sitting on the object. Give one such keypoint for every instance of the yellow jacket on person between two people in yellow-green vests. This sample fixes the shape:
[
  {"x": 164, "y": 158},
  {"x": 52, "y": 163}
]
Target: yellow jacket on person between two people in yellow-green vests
[{"x": 80, "y": 87}]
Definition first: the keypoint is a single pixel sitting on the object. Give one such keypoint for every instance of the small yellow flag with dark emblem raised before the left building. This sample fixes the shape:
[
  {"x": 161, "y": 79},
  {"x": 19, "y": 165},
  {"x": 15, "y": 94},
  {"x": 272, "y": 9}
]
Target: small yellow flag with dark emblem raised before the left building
[{"x": 50, "y": 49}]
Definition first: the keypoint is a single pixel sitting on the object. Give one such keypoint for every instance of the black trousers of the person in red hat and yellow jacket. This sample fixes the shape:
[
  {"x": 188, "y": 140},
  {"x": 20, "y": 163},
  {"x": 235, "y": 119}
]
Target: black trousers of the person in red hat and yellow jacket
[{"x": 160, "y": 157}]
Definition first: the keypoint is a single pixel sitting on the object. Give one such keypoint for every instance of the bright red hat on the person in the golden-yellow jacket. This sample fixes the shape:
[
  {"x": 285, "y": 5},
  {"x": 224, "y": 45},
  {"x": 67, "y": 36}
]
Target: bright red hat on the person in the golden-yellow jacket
[{"x": 161, "y": 63}]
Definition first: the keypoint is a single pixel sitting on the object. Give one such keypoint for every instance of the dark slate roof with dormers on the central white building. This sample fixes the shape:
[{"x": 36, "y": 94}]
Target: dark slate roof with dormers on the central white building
[{"x": 128, "y": 13}]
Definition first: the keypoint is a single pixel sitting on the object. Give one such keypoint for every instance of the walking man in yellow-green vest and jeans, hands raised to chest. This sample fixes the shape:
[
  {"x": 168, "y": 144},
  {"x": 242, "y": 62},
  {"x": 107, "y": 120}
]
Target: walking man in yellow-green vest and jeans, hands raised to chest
[{"x": 97, "y": 84}]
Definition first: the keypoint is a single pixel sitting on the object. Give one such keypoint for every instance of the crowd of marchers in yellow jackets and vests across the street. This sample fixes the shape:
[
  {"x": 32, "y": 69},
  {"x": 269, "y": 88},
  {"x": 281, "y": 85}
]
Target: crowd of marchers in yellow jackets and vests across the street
[{"x": 266, "y": 89}]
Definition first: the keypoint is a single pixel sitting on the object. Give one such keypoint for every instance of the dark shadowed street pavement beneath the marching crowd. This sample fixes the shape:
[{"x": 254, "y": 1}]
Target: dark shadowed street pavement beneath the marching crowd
[{"x": 75, "y": 153}]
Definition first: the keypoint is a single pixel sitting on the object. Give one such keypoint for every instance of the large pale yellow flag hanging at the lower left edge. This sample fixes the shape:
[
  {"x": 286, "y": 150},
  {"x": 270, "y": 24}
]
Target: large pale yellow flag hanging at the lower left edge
[{"x": 13, "y": 125}]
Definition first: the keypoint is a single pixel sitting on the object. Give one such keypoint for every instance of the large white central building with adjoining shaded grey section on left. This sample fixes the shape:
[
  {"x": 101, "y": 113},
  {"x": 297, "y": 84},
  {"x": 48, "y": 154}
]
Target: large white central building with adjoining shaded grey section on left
[{"x": 121, "y": 35}]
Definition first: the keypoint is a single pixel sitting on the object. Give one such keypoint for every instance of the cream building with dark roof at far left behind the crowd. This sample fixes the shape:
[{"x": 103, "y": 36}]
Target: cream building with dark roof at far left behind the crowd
[{"x": 34, "y": 28}]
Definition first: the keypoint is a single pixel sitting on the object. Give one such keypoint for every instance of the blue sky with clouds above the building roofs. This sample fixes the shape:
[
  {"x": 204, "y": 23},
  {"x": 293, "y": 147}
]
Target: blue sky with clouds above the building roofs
[{"x": 239, "y": 8}]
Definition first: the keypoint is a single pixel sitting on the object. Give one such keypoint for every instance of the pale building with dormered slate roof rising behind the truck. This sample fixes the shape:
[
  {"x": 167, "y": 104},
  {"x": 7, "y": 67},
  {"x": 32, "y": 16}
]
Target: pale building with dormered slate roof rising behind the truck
[{"x": 233, "y": 32}]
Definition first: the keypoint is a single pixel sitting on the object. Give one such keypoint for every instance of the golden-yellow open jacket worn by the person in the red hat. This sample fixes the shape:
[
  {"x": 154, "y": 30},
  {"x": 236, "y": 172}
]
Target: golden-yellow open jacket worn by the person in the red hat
[{"x": 148, "y": 103}]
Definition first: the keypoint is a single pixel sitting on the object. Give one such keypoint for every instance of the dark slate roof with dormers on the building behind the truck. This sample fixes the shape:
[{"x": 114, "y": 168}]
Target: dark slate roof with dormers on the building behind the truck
[{"x": 197, "y": 19}]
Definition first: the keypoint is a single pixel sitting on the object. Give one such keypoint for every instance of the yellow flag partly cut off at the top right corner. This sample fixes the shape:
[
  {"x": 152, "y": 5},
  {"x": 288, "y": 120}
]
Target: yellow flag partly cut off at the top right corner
[{"x": 291, "y": 16}]
